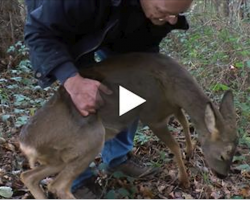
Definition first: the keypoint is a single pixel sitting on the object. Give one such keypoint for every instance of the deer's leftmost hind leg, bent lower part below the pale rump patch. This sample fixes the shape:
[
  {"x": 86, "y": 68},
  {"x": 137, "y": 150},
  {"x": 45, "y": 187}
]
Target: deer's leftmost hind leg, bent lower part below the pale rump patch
[{"x": 32, "y": 178}]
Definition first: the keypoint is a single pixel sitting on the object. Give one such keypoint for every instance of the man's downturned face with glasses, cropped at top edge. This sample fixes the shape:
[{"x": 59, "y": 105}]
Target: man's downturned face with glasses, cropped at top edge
[{"x": 162, "y": 11}]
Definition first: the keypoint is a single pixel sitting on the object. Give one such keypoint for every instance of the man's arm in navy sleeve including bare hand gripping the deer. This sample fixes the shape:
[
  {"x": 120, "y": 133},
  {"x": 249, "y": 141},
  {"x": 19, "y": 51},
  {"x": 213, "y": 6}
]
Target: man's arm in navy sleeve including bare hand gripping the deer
[{"x": 49, "y": 28}]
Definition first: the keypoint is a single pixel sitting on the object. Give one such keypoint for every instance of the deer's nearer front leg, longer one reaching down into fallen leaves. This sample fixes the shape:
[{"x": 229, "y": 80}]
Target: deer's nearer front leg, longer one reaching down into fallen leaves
[{"x": 161, "y": 130}]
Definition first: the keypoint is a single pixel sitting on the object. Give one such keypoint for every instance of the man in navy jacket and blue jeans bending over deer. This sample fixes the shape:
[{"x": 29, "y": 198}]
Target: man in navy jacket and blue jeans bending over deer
[{"x": 64, "y": 34}]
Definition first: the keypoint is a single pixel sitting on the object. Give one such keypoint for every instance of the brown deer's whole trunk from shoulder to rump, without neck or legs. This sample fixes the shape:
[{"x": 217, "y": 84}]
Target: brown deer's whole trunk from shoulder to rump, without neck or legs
[{"x": 156, "y": 78}]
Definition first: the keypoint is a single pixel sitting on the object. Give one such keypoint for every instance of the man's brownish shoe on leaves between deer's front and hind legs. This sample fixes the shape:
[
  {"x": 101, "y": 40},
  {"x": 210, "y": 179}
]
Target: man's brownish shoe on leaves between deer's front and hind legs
[{"x": 134, "y": 167}]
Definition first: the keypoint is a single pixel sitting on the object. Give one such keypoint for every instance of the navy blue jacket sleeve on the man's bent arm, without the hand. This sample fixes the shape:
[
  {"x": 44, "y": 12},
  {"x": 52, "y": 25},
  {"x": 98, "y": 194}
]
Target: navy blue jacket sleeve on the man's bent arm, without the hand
[{"x": 50, "y": 26}]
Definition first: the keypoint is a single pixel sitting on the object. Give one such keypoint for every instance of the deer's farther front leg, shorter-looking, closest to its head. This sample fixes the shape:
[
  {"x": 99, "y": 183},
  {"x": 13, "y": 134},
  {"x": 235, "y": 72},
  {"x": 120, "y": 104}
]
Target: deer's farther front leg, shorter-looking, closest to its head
[{"x": 183, "y": 121}]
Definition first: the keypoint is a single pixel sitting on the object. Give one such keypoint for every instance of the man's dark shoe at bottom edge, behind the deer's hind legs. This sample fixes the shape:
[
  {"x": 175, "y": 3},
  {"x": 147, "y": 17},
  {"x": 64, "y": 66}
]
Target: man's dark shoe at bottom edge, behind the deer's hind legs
[{"x": 90, "y": 190}]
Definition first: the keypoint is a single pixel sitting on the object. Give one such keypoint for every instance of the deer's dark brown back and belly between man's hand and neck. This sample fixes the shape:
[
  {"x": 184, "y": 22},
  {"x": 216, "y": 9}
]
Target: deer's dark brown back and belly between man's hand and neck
[{"x": 161, "y": 81}]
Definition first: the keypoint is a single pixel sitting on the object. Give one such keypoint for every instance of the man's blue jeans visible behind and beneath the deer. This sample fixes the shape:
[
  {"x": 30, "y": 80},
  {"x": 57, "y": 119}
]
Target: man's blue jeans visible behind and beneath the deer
[{"x": 115, "y": 150}]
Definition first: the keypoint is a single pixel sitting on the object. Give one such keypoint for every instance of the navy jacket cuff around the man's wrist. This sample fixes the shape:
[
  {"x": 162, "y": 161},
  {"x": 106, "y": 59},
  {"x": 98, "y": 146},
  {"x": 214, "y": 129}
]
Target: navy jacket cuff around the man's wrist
[{"x": 64, "y": 71}]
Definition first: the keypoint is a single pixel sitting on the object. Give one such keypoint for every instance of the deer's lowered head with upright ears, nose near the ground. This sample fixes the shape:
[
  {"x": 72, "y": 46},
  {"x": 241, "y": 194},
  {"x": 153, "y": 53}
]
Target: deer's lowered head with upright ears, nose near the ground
[{"x": 219, "y": 145}]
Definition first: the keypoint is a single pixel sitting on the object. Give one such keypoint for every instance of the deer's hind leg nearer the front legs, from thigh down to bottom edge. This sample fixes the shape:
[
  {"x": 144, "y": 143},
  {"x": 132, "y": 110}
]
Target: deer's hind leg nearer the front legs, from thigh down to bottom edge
[{"x": 86, "y": 148}]
